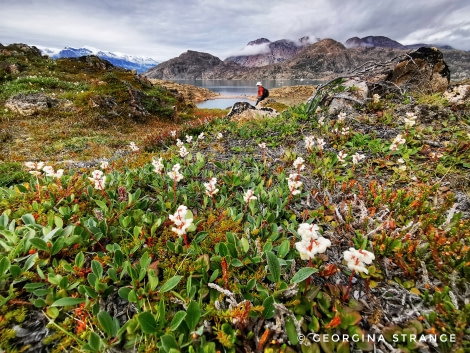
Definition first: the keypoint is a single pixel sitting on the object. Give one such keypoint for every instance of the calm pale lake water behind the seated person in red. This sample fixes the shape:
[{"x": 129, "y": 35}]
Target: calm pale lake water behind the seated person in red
[{"x": 233, "y": 91}]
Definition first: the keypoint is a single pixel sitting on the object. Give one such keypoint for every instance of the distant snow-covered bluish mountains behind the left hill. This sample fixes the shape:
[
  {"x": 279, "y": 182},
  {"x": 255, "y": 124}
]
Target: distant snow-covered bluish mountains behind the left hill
[{"x": 121, "y": 60}]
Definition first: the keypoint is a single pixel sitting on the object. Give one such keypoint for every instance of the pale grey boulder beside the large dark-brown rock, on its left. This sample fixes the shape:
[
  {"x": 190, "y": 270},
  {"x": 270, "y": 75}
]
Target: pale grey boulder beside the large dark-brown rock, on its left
[{"x": 356, "y": 91}]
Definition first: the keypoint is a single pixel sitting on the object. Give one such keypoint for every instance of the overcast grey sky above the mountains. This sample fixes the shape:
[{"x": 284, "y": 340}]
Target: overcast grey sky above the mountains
[{"x": 165, "y": 29}]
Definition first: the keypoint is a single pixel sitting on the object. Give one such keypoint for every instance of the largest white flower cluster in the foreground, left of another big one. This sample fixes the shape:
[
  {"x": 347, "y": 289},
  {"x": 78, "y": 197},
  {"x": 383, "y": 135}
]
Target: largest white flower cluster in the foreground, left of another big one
[{"x": 311, "y": 242}]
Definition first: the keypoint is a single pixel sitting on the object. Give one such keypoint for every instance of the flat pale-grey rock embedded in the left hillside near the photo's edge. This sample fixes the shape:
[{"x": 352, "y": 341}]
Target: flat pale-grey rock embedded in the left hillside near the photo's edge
[{"x": 30, "y": 103}]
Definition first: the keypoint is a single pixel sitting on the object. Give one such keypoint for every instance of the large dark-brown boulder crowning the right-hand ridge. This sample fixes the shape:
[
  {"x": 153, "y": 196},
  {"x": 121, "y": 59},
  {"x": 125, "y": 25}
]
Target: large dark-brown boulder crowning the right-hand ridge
[{"x": 425, "y": 70}]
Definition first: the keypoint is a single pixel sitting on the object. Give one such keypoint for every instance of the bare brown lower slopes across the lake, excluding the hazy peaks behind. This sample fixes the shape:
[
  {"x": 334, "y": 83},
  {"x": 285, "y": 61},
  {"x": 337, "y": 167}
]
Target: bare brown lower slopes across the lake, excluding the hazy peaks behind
[{"x": 321, "y": 60}]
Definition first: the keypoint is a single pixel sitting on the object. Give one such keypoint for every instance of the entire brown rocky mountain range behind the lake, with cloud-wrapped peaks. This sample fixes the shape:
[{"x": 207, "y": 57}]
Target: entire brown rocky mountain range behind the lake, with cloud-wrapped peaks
[{"x": 262, "y": 59}]
